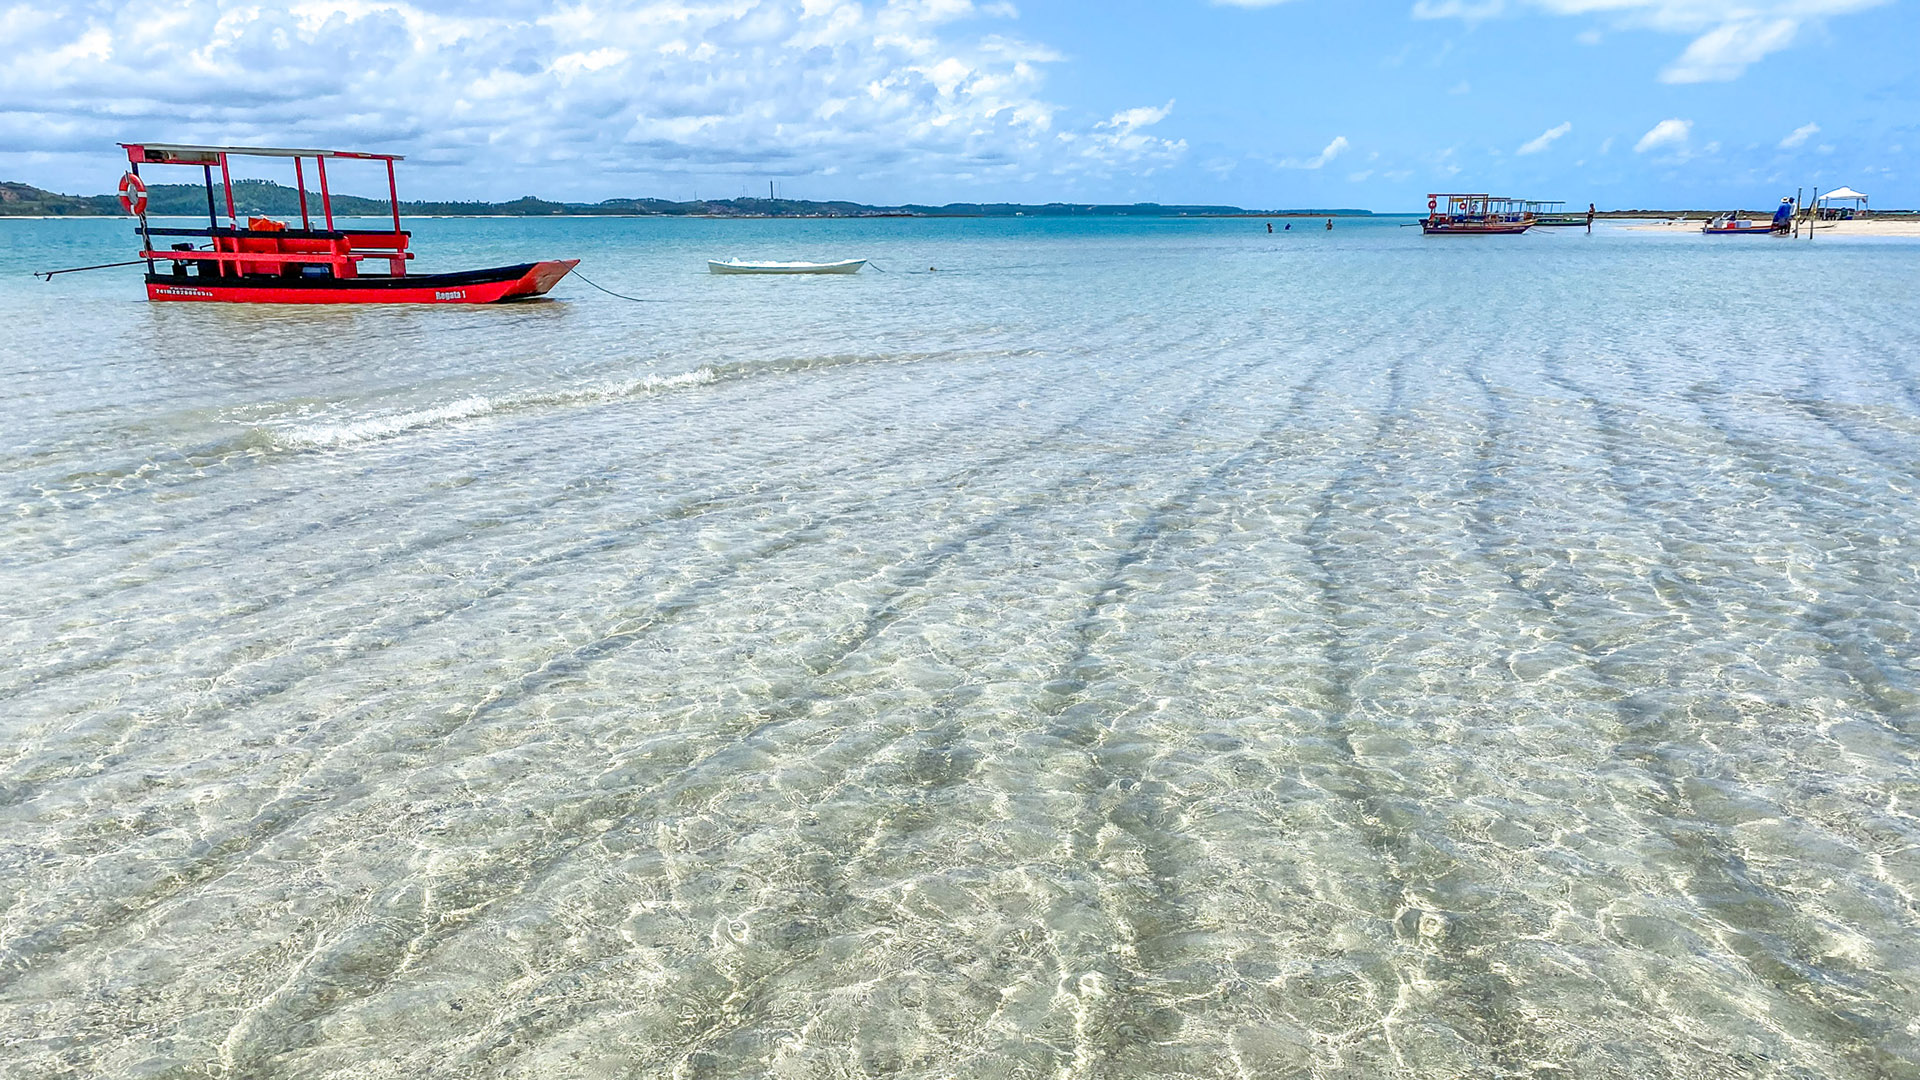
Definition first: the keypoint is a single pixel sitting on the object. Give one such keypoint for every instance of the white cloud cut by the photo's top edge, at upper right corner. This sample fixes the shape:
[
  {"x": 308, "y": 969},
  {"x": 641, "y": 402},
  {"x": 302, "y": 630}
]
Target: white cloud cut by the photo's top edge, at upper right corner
[{"x": 1729, "y": 36}]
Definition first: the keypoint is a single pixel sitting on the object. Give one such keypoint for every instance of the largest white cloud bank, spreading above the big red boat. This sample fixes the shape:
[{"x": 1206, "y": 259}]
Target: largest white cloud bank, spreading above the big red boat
[{"x": 565, "y": 93}]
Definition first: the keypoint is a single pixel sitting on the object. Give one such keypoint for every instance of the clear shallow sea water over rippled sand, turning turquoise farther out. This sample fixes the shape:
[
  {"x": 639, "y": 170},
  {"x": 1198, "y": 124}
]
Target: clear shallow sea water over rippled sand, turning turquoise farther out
[{"x": 1136, "y": 650}]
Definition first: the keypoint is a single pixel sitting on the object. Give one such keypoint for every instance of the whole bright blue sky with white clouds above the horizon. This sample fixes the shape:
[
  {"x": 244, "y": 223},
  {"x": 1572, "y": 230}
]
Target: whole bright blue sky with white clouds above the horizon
[{"x": 1268, "y": 105}]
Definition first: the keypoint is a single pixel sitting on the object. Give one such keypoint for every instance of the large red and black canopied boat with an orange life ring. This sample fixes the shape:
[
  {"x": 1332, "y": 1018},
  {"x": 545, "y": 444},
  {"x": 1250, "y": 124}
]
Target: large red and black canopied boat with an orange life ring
[{"x": 270, "y": 262}]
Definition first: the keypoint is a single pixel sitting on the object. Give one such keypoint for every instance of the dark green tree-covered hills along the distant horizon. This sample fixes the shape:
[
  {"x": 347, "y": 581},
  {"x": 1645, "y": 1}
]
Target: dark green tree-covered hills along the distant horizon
[{"x": 279, "y": 201}]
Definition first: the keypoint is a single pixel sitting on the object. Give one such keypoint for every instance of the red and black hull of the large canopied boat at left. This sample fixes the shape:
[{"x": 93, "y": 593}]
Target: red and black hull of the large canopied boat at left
[{"x": 468, "y": 287}]
